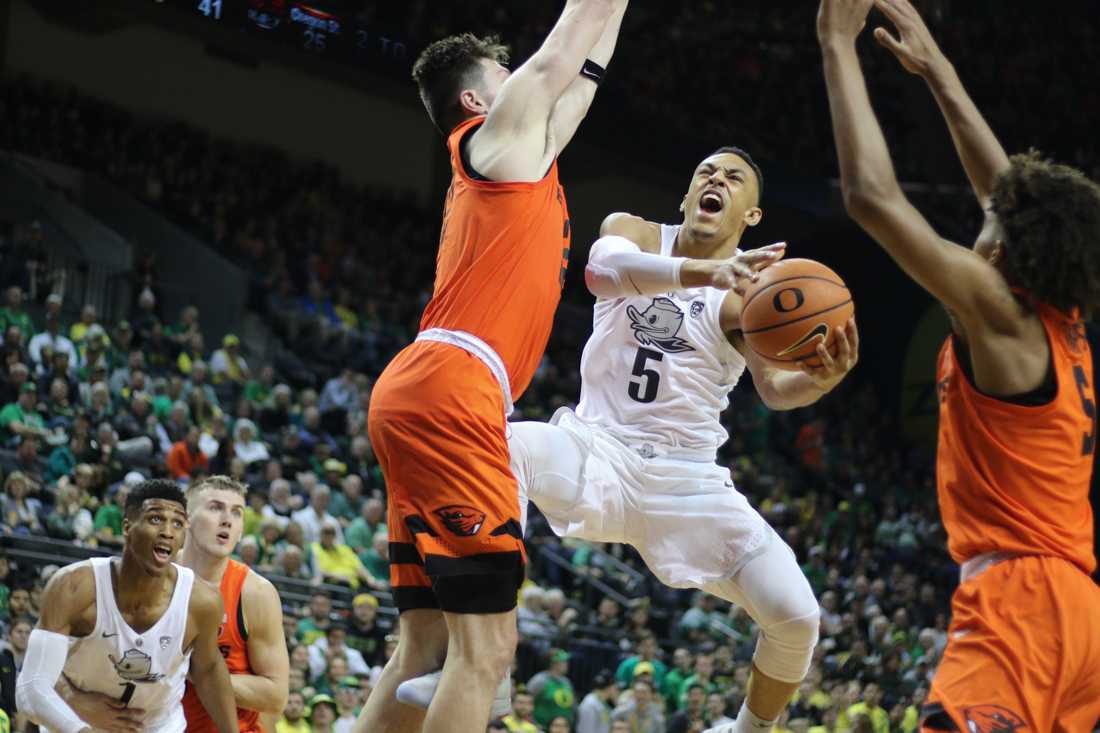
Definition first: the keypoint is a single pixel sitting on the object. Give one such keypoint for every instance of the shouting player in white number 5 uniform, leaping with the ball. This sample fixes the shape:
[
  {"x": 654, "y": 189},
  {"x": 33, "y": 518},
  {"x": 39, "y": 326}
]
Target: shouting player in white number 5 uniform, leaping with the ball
[{"x": 636, "y": 463}]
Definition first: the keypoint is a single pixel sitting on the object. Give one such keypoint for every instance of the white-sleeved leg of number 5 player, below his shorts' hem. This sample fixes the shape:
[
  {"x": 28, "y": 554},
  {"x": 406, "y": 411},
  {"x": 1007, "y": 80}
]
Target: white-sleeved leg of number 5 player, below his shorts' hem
[{"x": 775, "y": 593}]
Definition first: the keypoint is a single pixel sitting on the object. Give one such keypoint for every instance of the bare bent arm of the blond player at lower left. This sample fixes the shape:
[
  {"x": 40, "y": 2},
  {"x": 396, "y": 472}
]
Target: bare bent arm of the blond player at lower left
[{"x": 266, "y": 690}]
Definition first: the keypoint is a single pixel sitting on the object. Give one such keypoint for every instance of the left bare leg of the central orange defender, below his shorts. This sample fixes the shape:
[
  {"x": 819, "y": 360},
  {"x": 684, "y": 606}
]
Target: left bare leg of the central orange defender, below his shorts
[{"x": 421, "y": 650}]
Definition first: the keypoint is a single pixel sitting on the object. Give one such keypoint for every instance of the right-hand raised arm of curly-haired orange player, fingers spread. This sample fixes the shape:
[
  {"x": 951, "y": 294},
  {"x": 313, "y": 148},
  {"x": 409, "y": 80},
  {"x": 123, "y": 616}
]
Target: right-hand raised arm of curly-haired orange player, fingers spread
[{"x": 982, "y": 154}]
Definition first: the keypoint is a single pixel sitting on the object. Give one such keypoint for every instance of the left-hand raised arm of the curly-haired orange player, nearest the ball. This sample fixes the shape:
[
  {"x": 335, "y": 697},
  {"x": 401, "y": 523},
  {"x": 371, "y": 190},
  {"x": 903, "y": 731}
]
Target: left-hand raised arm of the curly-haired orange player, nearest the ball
[{"x": 961, "y": 279}]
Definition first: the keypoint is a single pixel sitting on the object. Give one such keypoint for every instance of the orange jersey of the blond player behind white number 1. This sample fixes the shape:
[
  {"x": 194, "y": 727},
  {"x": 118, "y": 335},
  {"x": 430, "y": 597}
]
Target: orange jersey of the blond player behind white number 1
[{"x": 233, "y": 640}]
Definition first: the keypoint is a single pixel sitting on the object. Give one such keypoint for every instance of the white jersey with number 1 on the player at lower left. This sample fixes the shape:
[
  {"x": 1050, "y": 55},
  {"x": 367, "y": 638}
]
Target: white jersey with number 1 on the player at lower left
[{"x": 147, "y": 672}]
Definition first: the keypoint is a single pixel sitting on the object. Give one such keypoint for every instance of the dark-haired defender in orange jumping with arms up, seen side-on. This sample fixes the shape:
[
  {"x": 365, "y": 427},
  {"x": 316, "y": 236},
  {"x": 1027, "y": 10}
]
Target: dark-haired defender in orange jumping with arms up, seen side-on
[{"x": 438, "y": 412}]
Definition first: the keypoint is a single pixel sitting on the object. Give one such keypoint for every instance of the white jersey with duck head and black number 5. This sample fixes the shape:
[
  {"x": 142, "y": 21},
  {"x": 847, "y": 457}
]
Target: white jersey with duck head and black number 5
[{"x": 658, "y": 370}]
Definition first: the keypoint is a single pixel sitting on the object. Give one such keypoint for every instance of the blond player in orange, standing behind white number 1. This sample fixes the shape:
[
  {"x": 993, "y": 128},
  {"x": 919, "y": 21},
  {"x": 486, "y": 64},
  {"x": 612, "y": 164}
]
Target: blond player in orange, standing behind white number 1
[{"x": 251, "y": 636}]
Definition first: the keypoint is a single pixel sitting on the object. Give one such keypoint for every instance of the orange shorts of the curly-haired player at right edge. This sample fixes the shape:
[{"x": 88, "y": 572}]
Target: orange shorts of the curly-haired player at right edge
[{"x": 1024, "y": 652}]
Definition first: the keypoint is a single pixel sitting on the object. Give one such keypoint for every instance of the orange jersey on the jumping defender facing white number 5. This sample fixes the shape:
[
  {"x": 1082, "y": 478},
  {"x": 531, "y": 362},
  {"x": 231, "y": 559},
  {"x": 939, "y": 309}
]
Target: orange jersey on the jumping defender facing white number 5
[{"x": 502, "y": 260}]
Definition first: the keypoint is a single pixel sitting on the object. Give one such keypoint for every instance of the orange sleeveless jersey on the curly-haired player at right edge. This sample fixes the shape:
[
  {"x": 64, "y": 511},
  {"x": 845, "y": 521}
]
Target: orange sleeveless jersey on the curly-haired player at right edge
[{"x": 1014, "y": 478}]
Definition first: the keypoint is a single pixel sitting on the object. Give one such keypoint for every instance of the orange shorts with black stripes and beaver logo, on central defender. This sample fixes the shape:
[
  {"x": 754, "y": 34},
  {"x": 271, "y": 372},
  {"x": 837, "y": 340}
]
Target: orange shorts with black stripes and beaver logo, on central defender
[{"x": 437, "y": 426}]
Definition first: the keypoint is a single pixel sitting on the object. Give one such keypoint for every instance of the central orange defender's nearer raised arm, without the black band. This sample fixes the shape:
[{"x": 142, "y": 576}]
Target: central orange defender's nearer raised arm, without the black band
[{"x": 513, "y": 145}]
